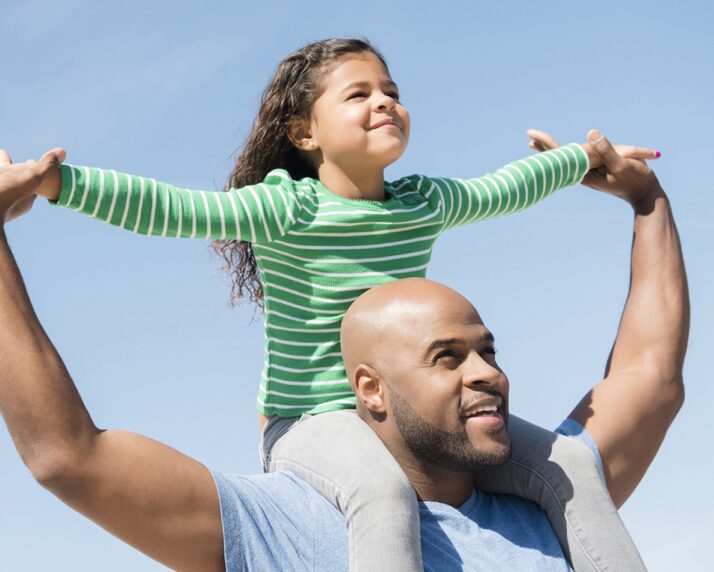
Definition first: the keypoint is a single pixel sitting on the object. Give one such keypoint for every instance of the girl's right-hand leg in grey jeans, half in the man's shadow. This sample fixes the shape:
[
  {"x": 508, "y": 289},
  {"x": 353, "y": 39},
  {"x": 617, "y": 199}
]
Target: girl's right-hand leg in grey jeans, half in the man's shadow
[{"x": 563, "y": 477}]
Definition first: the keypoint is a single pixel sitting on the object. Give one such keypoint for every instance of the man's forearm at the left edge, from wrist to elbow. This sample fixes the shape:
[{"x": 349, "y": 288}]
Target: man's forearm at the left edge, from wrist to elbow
[{"x": 38, "y": 400}]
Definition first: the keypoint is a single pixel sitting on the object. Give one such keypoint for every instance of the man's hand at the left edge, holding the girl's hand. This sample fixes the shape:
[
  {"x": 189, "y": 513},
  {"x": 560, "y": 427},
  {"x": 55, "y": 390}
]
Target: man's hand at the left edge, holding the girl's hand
[{"x": 20, "y": 182}]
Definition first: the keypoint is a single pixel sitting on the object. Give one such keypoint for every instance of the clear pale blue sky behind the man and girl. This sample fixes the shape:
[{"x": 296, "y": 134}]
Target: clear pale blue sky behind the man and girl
[{"x": 169, "y": 90}]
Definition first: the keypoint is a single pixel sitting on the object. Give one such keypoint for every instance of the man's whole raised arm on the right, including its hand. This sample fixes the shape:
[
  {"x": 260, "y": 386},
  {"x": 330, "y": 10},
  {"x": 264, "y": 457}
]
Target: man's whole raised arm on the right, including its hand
[{"x": 629, "y": 412}]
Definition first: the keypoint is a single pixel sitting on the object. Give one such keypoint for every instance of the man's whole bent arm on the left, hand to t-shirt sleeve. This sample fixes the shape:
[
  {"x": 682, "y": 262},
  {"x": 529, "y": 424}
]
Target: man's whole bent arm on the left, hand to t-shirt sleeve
[{"x": 156, "y": 499}]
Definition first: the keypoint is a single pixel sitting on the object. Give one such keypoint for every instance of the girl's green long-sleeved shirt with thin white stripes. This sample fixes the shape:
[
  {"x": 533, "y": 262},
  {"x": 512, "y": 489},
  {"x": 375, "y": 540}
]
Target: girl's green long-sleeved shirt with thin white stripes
[{"x": 318, "y": 251}]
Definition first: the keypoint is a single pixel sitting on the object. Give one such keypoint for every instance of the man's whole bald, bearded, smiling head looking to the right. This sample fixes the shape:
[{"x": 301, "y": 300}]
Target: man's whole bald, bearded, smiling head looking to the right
[{"x": 423, "y": 367}]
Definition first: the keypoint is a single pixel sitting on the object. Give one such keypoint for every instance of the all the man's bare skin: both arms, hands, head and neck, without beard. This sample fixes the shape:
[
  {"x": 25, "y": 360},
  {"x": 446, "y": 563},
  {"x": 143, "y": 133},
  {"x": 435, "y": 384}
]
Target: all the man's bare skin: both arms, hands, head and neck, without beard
[{"x": 165, "y": 504}]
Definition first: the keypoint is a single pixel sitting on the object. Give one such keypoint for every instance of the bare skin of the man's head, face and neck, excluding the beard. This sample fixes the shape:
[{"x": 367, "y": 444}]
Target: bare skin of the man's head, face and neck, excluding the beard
[{"x": 435, "y": 352}]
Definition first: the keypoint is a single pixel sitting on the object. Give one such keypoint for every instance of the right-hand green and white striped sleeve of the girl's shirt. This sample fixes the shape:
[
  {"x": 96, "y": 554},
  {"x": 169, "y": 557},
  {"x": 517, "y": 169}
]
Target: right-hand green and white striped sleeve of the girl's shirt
[{"x": 512, "y": 188}]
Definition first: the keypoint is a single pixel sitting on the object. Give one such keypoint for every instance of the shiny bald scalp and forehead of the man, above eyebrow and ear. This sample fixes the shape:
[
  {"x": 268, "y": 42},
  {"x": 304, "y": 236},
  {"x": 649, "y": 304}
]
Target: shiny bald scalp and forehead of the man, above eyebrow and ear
[{"x": 396, "y": 314}]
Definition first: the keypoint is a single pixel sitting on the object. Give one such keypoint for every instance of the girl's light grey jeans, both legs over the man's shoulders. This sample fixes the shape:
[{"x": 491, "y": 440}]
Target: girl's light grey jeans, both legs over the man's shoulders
[{"x": 344, "y": 460}]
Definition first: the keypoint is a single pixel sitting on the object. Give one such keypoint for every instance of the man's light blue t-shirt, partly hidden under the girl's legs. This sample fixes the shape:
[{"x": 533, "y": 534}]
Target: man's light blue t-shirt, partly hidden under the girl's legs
[{"x": 278, "y": 522}]
